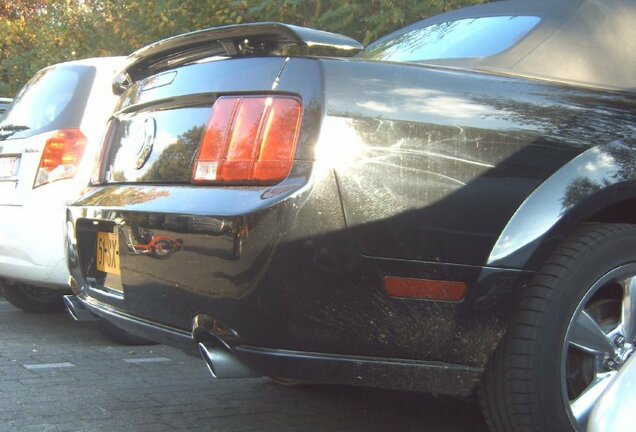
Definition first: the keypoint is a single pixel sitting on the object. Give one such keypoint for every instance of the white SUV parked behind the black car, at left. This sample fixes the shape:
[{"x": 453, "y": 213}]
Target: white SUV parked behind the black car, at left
[{"x": 49, "y": 140}]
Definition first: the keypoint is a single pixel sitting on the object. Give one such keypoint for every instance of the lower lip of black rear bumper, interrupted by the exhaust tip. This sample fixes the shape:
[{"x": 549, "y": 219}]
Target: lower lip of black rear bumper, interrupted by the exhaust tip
[{"x": 318, "y": 368}]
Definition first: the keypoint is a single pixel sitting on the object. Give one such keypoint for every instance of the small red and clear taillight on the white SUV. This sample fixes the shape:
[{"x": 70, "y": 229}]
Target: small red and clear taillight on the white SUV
[{"x": 61, "y": 156}]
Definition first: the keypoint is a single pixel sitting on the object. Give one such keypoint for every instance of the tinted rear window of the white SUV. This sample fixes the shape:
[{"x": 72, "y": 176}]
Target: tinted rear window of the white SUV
[{"x": 54, "y": 98}]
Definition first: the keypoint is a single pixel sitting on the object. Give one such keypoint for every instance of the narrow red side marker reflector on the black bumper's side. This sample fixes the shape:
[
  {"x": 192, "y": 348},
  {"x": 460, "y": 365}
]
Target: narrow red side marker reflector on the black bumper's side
[{"x": 424, "y": 289}]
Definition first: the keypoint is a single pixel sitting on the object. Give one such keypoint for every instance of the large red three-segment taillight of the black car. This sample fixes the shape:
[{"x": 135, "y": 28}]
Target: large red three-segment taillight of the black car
[{"x": 249, "y": 139}]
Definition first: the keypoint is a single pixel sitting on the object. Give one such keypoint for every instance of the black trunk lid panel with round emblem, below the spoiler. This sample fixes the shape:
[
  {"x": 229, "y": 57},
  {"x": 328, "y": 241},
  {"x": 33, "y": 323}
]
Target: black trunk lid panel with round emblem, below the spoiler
[{"x": 155, "y": 138}]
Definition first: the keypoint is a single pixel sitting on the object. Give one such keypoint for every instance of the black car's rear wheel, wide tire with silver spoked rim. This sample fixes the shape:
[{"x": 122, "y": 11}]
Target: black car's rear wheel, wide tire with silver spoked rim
[{"x": 574, "y": 328}]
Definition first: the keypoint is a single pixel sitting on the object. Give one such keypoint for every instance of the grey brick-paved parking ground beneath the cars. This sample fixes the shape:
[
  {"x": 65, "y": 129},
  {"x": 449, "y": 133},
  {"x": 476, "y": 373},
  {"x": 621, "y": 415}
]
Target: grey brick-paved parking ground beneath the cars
[{"x": 57, "y": 375}]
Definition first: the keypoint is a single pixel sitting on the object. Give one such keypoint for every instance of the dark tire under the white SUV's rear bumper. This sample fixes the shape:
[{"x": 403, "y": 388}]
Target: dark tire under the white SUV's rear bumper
[{"x": 35, "y": 299}]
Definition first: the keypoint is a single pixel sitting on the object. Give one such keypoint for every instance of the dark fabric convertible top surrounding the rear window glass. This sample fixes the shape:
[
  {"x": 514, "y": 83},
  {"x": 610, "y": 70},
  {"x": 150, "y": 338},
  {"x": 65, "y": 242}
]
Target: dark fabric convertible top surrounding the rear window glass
[{"x": 585, "y": 42}]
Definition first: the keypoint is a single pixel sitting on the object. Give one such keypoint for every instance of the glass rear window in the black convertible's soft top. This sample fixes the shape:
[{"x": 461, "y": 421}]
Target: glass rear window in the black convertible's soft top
[{"x": 465, "y": 38}]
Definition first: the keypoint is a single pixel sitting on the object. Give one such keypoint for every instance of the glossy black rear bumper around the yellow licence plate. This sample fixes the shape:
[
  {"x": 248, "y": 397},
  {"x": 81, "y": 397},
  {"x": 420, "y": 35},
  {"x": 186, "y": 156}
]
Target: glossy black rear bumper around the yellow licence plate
[{"x": 280, "y": 285}]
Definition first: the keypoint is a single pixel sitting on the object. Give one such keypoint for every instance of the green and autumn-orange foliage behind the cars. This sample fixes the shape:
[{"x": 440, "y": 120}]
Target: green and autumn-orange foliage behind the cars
[{"x": 37, "y": 33}]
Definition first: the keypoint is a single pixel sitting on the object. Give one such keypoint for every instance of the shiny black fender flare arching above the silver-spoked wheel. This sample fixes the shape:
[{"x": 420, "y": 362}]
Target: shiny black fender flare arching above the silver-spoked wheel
[{"x": 599, "y": 185}]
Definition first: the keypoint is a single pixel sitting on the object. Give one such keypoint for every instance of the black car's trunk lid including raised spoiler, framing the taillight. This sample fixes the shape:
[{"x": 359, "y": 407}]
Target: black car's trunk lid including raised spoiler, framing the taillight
[{"x": 170, "y": 87}]
